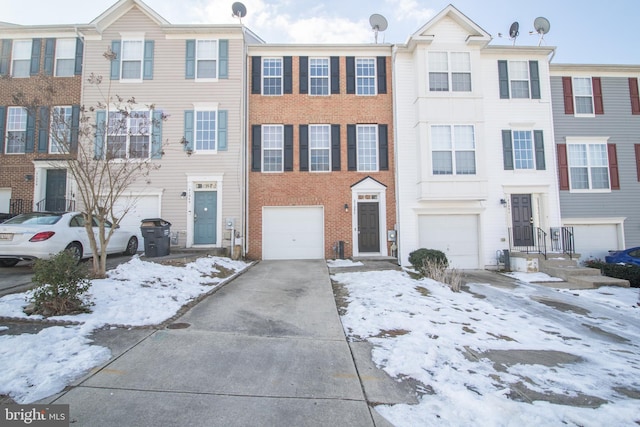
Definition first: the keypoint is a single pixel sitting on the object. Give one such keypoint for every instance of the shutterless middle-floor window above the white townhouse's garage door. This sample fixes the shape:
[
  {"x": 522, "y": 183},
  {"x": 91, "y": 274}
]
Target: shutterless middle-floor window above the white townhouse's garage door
[{"x": 453, "y": 150}]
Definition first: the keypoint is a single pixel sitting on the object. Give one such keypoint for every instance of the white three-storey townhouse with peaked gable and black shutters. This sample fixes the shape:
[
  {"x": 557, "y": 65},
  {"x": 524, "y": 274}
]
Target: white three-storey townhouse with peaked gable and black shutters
[{"x": 475, "y": 159}]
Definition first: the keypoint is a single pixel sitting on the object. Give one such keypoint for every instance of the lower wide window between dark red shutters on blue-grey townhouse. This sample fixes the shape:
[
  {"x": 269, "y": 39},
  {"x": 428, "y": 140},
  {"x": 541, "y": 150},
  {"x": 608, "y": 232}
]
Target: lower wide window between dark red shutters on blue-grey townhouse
[{"x": 588, "y": 166}]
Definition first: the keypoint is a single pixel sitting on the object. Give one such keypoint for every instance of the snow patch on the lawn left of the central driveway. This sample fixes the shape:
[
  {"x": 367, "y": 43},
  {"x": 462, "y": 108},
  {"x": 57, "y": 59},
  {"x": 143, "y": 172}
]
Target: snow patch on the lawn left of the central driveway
[{"x": 136, "y": 293}]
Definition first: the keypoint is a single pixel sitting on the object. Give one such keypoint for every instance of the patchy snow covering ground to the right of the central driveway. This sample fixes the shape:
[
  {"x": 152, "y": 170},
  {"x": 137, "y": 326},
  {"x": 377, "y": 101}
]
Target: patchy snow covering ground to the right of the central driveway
[{"x": 421, "y": 329}]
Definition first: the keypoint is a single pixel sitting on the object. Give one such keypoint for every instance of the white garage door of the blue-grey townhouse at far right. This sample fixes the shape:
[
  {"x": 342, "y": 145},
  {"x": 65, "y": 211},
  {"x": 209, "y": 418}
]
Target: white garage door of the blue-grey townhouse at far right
[{"x": 593, "y": 241}]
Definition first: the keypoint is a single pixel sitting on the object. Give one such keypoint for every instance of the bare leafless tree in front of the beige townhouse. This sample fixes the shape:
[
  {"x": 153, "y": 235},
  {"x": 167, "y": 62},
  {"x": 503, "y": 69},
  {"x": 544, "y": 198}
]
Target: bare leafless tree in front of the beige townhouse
[{"x": 106, "y": 148}]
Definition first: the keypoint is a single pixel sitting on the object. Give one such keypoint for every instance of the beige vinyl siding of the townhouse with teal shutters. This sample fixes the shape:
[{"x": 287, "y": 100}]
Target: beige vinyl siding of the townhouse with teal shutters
[{"x": 170, "y": 92}]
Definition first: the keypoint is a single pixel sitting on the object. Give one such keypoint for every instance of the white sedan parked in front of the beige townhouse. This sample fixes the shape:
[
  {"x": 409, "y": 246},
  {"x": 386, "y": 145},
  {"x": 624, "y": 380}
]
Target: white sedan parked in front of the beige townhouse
[{"x": 44, "y": 234}]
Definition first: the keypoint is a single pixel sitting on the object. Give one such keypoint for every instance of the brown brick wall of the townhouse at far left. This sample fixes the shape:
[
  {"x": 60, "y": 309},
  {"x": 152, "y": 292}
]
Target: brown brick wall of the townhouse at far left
[{"x": 32, "y": 91}]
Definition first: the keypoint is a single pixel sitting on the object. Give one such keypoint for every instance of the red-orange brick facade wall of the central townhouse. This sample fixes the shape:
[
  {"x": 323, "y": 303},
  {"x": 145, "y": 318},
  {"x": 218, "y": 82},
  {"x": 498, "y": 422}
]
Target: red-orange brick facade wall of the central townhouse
[{"x": 329, "y": 189}]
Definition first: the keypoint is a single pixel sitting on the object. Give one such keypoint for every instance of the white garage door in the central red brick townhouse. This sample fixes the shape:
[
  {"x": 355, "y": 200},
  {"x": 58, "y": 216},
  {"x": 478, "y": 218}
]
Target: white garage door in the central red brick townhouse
[{"x": 293, "y": 232}]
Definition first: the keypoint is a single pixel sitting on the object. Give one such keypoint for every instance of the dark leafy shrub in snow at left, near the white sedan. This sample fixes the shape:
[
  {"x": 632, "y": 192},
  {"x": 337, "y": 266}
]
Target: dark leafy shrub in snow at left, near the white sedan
[{"x": 62, "y": 282}]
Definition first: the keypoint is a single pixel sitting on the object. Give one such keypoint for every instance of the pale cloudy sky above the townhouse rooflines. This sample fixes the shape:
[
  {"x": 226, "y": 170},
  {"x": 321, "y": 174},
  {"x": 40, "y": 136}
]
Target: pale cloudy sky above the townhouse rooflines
[{"x": 587, "y": 32}]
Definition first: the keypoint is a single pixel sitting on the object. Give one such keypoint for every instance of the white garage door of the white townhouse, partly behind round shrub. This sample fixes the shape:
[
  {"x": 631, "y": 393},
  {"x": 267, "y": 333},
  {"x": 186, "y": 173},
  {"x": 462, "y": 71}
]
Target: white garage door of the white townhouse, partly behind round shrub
[{"x": 455, "y": 235}]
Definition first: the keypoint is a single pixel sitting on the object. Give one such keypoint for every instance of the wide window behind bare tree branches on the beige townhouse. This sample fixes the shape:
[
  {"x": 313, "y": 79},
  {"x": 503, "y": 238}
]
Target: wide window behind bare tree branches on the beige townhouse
[{"x": 129, "y": 137}]
